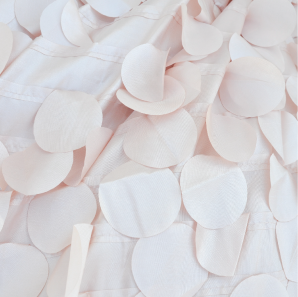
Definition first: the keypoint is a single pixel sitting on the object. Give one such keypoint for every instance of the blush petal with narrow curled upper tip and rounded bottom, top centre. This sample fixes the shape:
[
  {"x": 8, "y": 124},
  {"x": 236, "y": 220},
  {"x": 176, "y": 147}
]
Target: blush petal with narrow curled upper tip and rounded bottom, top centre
[{"x": 199, "y": 38}]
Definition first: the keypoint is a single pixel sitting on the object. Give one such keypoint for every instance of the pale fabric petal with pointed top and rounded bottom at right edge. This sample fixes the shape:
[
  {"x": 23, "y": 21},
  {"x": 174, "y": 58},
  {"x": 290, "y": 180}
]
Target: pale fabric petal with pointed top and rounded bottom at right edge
[{"x": 283, "y": 195}]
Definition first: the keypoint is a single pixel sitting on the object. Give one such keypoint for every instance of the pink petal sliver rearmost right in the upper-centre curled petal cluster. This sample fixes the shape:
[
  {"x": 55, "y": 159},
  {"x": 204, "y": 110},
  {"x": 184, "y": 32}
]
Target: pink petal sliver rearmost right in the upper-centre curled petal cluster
[{"x": 189, "y": 76}]
